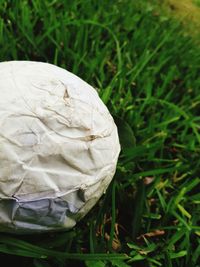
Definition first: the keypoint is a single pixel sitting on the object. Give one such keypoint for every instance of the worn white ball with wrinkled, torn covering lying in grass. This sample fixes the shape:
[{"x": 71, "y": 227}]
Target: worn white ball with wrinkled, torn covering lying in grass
[{"x": 58, "y": 147}]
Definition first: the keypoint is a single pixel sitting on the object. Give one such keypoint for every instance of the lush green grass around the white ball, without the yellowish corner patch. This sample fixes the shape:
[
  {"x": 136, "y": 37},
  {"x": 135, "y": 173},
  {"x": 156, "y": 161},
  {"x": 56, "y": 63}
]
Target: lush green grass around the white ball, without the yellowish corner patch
[{"x": 146, "y": 70}]
